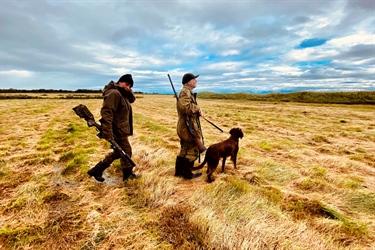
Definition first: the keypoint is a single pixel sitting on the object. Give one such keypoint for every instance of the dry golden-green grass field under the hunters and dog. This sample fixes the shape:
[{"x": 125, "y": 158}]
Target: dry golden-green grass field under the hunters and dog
[{"x": 305, "y": 179}]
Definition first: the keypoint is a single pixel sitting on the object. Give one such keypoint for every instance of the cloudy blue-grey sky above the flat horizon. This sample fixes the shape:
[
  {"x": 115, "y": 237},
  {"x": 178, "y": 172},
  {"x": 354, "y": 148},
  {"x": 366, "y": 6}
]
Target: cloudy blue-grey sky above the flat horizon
[{"x": 236, "y": 46}]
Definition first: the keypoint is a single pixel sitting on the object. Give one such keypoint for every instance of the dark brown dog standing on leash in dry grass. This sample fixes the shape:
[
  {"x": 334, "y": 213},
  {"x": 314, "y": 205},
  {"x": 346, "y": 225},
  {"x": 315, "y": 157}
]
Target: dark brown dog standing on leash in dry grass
[{"x": 223, "y": 149}]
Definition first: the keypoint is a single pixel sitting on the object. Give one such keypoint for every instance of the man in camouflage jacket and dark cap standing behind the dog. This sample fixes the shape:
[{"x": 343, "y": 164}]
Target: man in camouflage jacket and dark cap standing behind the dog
[{"x": 187, "y": 108}]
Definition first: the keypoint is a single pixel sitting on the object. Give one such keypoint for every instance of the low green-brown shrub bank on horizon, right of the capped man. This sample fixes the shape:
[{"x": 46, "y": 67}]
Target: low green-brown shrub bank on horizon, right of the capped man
[{"x": 360, "y": 97}]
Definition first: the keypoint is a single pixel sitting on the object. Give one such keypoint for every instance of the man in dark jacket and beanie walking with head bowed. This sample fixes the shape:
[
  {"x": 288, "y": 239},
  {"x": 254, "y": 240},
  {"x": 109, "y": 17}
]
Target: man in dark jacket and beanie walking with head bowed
[{"x": 117, "y": 120}]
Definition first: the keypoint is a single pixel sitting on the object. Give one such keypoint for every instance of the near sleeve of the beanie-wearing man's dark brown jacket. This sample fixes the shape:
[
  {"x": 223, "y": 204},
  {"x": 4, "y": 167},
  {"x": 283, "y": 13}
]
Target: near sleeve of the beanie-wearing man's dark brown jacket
[{"x": 110, "y": 103}]
